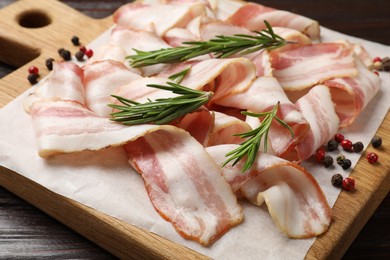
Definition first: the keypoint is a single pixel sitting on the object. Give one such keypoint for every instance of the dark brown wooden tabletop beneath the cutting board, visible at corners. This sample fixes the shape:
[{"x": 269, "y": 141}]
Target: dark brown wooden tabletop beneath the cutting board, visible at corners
[{"x": 26, "y": 232}]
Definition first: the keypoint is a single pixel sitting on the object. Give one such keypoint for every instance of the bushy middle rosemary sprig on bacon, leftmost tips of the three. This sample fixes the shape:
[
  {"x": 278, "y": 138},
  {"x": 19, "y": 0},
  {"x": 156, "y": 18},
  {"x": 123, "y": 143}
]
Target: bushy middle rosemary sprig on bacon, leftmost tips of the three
[{"x": 162, "y": 110}]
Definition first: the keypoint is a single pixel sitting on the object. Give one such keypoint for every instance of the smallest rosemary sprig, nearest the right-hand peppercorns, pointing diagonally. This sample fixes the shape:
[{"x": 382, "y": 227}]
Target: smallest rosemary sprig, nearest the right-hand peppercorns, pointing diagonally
[{"x": 250, "y": 147}]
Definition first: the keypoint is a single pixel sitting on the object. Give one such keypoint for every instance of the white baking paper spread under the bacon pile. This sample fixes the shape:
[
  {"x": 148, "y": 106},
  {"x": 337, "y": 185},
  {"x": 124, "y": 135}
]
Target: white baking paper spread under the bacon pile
[{"x": 104, "y": 180}]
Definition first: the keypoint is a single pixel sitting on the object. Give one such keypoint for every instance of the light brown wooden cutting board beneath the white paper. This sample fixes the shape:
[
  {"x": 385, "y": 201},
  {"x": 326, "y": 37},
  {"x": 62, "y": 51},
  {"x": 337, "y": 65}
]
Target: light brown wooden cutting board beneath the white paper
[{"x": 32, "y": 31}]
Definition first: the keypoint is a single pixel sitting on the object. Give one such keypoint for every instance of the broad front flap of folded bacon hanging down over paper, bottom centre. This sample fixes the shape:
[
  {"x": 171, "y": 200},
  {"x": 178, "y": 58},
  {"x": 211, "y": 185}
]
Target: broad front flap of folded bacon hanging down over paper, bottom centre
[{"x": 185, "y": 186}]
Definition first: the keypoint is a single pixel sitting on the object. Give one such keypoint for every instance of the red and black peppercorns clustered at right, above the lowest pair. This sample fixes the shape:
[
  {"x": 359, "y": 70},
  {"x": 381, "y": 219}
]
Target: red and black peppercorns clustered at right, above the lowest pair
[{"x": 333, "y": 145}]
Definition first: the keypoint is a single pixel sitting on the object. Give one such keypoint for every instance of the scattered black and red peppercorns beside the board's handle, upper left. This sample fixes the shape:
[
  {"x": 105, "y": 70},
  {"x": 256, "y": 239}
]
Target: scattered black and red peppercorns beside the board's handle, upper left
[{"x": 65, "y": 54}]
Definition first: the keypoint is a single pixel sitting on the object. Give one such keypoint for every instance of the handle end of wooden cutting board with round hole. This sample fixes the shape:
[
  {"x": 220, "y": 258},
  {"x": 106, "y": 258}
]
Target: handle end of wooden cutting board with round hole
[{"x": 32, "y": 31}]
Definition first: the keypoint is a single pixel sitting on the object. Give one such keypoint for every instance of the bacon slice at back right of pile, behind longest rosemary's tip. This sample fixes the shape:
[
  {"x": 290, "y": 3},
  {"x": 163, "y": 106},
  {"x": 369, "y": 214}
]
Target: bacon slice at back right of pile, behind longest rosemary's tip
[{"x": 252, "y": 16}]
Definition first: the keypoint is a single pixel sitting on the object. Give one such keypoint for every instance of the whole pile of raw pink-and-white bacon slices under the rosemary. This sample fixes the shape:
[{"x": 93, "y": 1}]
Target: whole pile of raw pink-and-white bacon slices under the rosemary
[{"x": 321, "y": 88}]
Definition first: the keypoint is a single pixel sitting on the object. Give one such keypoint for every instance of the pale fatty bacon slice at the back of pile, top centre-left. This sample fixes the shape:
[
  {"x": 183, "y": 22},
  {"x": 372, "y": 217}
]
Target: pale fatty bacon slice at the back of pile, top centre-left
[{"x": 157, "y": 18}]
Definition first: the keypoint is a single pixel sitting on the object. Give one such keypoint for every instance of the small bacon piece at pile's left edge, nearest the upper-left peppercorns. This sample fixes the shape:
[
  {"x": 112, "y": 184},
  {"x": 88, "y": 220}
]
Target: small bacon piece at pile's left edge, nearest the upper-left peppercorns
[{"x": 65, "y": 82}]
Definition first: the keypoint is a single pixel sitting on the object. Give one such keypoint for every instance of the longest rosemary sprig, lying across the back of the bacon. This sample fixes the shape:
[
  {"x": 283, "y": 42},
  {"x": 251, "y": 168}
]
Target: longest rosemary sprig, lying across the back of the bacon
[{"x": 221, "y": 46}]
